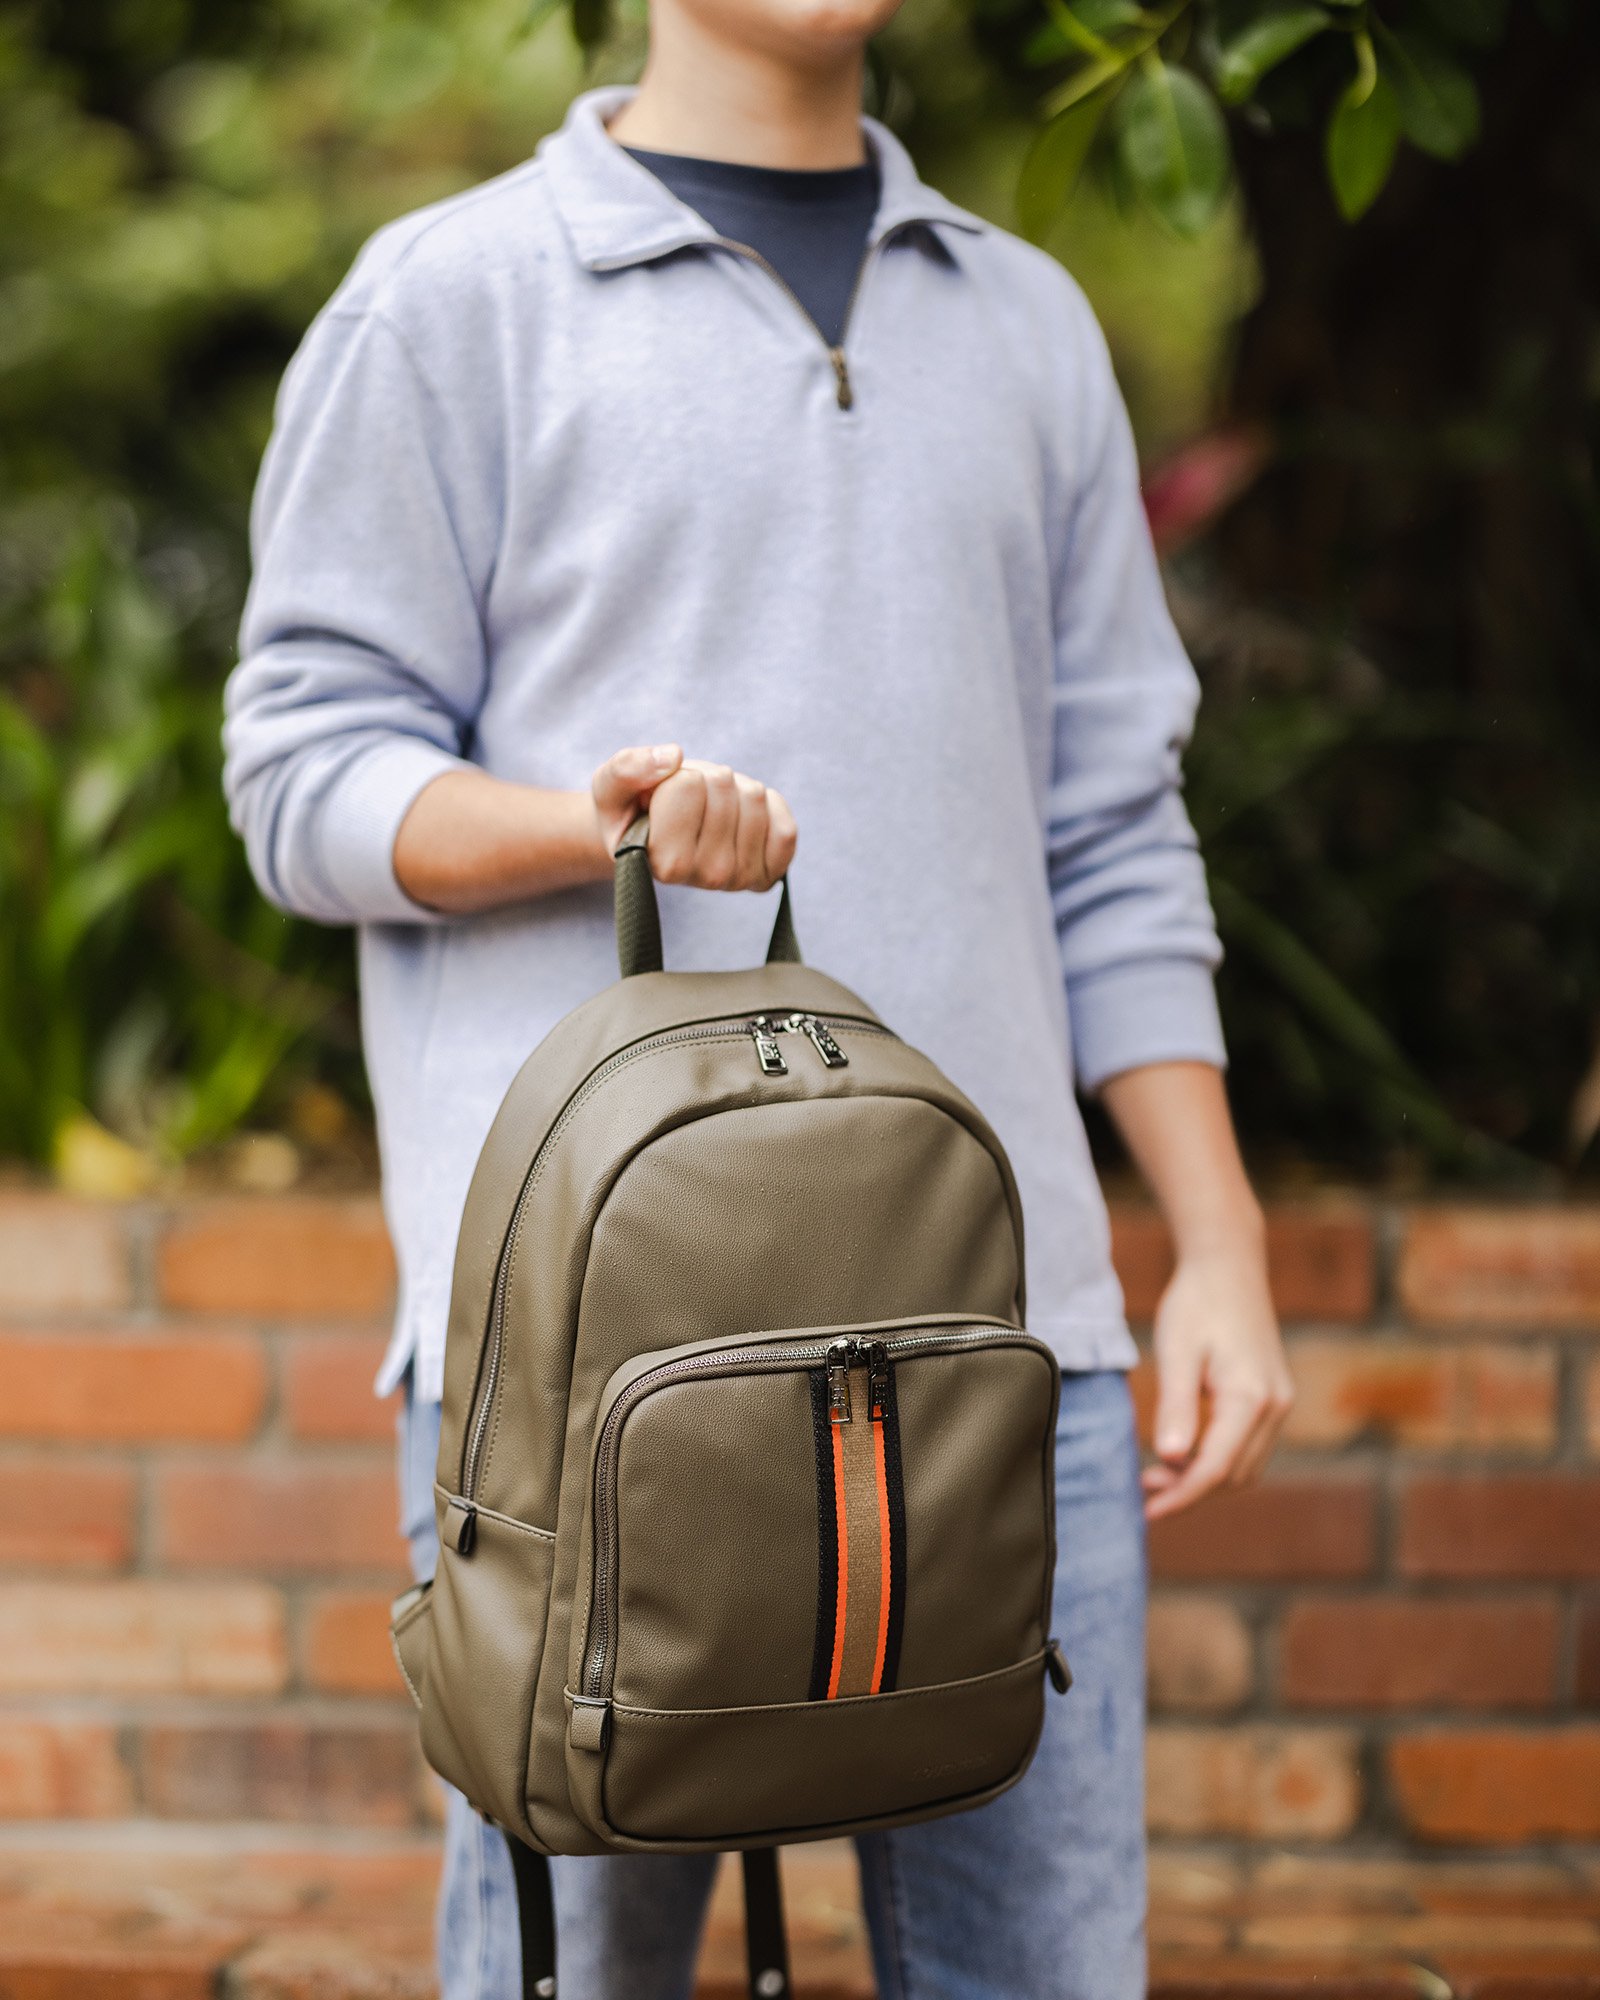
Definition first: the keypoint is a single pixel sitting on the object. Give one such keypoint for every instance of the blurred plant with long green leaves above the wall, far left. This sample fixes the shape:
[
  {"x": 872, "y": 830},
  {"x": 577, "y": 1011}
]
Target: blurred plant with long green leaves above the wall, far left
[{"x": 145, "y": 987}]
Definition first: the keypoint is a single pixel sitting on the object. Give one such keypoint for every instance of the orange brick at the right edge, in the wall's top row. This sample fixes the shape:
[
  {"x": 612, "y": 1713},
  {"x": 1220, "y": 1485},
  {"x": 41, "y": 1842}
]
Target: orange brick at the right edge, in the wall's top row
[{"x": 1525, "y": 1267}]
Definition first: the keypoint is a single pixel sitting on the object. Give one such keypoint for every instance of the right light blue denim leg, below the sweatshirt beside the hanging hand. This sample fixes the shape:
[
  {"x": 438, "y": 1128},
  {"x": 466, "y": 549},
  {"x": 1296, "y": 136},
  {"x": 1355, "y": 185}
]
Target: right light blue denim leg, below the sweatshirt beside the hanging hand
[{"x": 1041, "y": 1895}]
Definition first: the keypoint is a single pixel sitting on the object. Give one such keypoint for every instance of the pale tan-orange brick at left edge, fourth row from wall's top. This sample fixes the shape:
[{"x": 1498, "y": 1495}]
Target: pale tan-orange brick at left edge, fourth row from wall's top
[{"x": 141, "y": 1637}]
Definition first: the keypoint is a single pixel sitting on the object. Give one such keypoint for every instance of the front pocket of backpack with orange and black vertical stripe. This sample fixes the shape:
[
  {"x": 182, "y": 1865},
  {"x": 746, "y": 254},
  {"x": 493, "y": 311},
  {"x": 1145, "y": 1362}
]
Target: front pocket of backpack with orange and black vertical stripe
[{"x": 811, "y": 1557}]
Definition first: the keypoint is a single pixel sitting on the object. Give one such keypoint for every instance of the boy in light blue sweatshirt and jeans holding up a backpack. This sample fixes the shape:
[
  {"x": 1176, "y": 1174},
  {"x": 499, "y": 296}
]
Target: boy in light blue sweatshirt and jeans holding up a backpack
[{"x": 715, "y": 427}]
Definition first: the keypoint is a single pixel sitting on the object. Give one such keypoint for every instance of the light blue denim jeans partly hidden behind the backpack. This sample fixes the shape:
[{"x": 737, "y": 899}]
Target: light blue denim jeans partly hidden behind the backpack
[{"x": 1035, "y": 1897}]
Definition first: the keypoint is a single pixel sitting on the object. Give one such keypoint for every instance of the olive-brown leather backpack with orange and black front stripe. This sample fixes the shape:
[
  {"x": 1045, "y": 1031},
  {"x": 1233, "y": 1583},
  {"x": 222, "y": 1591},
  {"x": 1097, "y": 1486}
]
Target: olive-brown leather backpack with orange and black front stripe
[{"x": 747, "y": 1465}]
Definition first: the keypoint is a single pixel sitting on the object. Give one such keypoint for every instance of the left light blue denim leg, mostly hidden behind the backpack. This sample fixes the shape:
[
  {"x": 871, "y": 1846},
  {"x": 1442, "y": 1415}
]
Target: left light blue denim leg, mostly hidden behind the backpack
[{"x": 625, "y": 1925}]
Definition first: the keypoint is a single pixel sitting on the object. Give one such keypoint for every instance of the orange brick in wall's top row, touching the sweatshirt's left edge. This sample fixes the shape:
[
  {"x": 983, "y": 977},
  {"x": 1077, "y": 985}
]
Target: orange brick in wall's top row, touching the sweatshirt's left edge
[{"x": 295, "y": 1257}]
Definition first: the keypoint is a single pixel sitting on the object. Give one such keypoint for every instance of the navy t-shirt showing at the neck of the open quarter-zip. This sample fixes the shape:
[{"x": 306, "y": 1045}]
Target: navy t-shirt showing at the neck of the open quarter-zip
[{"x": 809, "y": 225}]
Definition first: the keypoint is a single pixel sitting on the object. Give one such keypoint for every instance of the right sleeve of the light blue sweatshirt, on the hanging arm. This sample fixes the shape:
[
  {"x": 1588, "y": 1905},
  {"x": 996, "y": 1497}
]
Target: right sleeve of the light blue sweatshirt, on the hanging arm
[{"x": 1133, "y": 917}]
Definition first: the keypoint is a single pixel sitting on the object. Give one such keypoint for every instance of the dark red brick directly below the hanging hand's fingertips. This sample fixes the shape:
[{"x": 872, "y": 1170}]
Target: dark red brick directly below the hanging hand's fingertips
[{"x": 1285, "y": 1527}]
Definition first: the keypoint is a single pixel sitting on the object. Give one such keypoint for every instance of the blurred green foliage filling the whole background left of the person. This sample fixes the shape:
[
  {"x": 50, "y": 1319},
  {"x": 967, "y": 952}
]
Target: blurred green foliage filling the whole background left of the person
[{"x": 181, "y": 185}]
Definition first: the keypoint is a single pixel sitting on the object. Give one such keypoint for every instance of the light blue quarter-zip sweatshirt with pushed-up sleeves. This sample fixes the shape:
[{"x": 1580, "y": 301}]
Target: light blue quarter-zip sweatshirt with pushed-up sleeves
[{"x": 557, "y": 473}]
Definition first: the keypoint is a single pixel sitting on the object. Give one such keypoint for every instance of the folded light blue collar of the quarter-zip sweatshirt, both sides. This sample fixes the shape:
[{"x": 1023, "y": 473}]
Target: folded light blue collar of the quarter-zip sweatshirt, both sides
[{"x": 617, "y": 213}]
